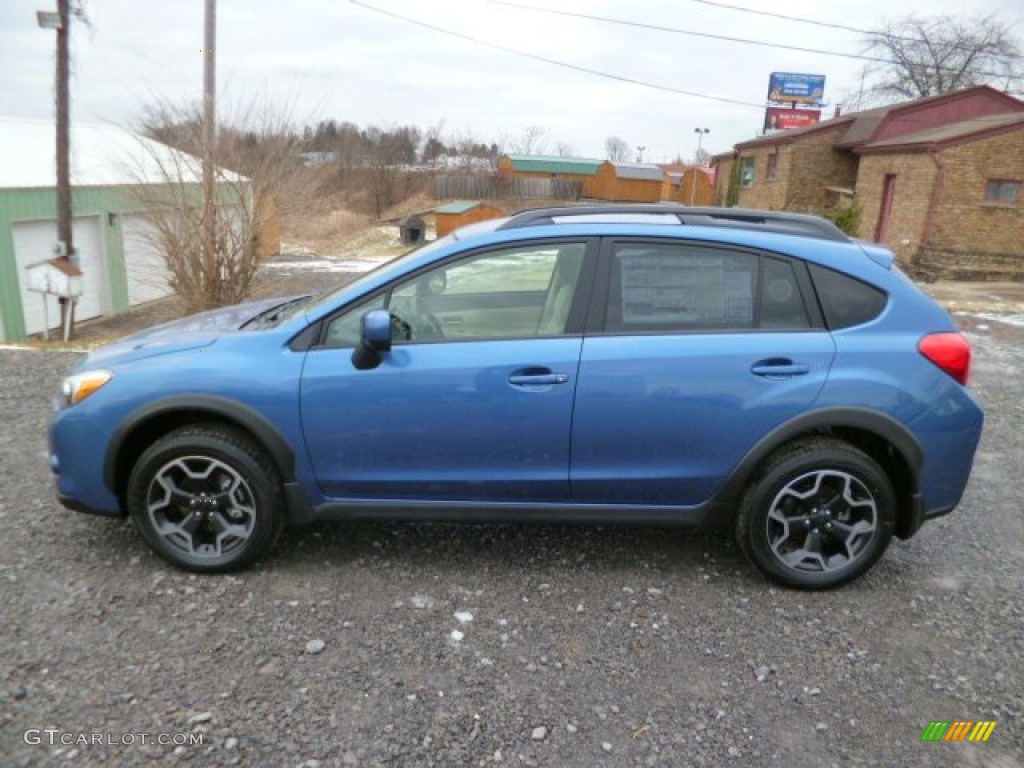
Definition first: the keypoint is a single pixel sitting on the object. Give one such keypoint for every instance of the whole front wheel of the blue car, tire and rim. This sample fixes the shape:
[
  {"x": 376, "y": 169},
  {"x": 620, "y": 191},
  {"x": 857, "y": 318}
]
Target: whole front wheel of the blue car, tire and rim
[{"x": 207, "y": 499}]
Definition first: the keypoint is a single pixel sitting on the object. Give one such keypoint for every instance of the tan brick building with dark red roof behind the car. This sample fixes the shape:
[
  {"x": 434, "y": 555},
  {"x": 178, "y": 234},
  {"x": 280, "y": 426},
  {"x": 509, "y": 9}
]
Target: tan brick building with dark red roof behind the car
[{"x": 937, "y": 180}]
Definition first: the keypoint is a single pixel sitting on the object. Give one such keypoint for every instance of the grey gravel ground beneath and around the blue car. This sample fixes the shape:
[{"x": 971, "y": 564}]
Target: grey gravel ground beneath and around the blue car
[{"x": 437, "y": 646}]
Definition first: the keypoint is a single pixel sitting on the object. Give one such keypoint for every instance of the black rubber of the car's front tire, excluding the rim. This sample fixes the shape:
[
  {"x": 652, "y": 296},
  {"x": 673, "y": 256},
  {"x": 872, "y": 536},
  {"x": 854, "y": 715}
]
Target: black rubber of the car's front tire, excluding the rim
[{"x": 266, "y": 497}]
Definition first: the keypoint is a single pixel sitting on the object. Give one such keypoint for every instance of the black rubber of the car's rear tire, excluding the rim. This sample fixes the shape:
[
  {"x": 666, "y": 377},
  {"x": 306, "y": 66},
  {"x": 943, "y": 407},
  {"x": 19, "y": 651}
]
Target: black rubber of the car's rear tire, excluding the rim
[{"x": 758, "y": 502}]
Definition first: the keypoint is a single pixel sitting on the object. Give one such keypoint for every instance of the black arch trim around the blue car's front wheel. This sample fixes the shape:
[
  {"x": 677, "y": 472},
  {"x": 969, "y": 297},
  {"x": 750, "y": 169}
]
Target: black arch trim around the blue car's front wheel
[{"x": 222, "y": 409}]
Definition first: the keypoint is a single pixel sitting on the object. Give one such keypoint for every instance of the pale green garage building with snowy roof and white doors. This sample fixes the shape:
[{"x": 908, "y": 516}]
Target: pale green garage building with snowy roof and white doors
[{"x": 112, "y": 235}]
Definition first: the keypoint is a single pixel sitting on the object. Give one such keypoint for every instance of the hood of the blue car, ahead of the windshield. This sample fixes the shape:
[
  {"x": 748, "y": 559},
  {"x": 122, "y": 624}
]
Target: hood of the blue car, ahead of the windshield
[{"x": 188, "y": 333}]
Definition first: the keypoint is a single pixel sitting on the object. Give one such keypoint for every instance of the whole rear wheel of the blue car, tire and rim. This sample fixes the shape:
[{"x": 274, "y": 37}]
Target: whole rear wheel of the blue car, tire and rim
[{"x": 819, "y": 516}]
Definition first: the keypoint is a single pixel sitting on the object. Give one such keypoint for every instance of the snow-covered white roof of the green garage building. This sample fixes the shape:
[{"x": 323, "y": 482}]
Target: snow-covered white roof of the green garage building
[{"x": 101, "y": 156}]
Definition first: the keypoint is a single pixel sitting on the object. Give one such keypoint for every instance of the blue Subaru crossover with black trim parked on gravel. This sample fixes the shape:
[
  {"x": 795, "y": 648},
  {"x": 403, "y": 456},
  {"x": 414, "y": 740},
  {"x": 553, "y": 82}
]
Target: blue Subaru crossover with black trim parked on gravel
[{"x": 658, "y": 364}]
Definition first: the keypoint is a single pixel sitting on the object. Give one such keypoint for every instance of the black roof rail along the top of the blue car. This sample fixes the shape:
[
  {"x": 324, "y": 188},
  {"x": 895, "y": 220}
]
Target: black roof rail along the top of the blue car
[{"x": 738, "y": 219}]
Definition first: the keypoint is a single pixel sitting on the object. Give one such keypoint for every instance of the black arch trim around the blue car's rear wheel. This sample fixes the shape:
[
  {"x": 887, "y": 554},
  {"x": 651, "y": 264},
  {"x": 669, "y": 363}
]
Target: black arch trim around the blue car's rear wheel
[{"x": 822, "y": 422}]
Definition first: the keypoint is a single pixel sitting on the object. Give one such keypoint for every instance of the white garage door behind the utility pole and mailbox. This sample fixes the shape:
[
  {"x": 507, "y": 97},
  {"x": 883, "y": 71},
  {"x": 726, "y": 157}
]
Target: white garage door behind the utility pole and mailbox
[{"x": 34, "y": 242}]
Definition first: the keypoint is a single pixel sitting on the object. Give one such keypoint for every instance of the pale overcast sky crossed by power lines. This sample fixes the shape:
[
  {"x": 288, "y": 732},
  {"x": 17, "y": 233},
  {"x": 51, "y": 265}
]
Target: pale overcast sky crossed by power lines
[{"x": 336, "y": 59}]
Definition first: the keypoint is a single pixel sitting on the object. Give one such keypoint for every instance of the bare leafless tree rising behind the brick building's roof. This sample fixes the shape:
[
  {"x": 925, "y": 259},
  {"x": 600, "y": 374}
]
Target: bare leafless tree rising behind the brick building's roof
[{"x": 929, "y": 56}]
